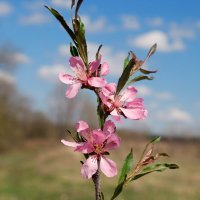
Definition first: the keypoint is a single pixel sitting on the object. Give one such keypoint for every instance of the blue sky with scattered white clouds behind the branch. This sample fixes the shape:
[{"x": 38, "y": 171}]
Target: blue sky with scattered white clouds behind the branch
[{"x": 173, "y": 98}]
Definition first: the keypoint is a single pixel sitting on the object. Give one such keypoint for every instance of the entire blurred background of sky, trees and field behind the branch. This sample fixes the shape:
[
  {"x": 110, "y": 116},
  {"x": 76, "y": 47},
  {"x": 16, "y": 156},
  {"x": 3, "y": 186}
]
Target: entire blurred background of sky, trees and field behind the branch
[{"x": 34, "y": 113}]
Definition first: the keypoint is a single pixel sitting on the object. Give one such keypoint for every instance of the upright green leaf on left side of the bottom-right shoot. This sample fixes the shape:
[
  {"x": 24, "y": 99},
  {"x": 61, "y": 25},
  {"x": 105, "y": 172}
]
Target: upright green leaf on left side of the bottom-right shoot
[{"x": 128, "y": 164}]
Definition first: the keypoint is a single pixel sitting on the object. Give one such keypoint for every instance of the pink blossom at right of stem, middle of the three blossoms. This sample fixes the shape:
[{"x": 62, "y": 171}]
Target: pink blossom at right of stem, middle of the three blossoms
[{"x": 125, "y": 104}]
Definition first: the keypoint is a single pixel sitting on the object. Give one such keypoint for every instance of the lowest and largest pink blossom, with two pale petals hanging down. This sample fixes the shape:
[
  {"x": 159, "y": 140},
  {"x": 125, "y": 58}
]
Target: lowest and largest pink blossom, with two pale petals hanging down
[{"x": 97, "y": 144}]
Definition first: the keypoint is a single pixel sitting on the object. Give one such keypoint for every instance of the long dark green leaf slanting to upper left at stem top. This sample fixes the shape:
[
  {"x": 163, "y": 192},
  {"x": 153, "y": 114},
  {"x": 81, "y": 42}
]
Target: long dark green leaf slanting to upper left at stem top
[{"x": 60, "y": 18}]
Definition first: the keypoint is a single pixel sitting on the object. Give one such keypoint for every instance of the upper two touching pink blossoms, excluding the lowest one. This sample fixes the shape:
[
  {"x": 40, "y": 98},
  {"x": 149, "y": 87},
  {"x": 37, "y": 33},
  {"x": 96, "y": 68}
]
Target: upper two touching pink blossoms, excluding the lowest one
[{"x": 125, "y": 104}]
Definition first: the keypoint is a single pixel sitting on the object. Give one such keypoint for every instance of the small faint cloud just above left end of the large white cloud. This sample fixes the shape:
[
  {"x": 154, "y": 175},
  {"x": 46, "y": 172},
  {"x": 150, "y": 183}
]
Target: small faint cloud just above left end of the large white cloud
[{"x": 130, "y": 22}]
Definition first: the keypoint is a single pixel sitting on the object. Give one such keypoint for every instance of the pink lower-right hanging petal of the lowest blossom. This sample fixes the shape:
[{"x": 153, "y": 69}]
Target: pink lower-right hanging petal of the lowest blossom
[{"x": 108, "y": 167}]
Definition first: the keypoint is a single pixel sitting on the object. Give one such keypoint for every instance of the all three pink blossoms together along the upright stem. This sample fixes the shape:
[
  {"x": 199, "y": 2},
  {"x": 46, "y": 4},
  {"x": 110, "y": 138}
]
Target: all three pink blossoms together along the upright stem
[{"x": 96, "y": 143}]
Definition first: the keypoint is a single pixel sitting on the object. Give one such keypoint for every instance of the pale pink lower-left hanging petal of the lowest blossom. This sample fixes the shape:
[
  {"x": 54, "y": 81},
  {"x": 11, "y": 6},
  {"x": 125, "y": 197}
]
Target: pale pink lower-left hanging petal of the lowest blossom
[{"x": 89, "y": 168}]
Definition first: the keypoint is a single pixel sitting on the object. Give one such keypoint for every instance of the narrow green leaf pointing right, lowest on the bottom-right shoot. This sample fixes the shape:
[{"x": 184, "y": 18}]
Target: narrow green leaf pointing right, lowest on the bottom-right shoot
[{"x": 155, "y": 168}]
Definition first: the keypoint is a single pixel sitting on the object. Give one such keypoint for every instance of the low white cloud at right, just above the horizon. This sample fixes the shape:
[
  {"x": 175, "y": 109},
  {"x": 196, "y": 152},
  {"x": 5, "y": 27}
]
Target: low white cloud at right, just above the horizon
[{"x": 175, "y": 115}]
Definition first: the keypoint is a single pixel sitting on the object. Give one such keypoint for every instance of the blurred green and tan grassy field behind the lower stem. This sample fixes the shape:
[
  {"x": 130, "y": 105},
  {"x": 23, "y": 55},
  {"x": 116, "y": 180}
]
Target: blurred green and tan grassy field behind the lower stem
[{"x": 49, "y": 171}]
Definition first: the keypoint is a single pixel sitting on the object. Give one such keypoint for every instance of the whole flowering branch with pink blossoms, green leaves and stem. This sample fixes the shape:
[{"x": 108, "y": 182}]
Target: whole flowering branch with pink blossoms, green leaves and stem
[{"x": 113, "y": 100}]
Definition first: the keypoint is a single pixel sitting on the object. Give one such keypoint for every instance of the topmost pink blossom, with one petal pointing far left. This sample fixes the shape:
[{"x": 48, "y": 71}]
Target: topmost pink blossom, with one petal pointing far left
[{"x": 84, "y": 77}]
